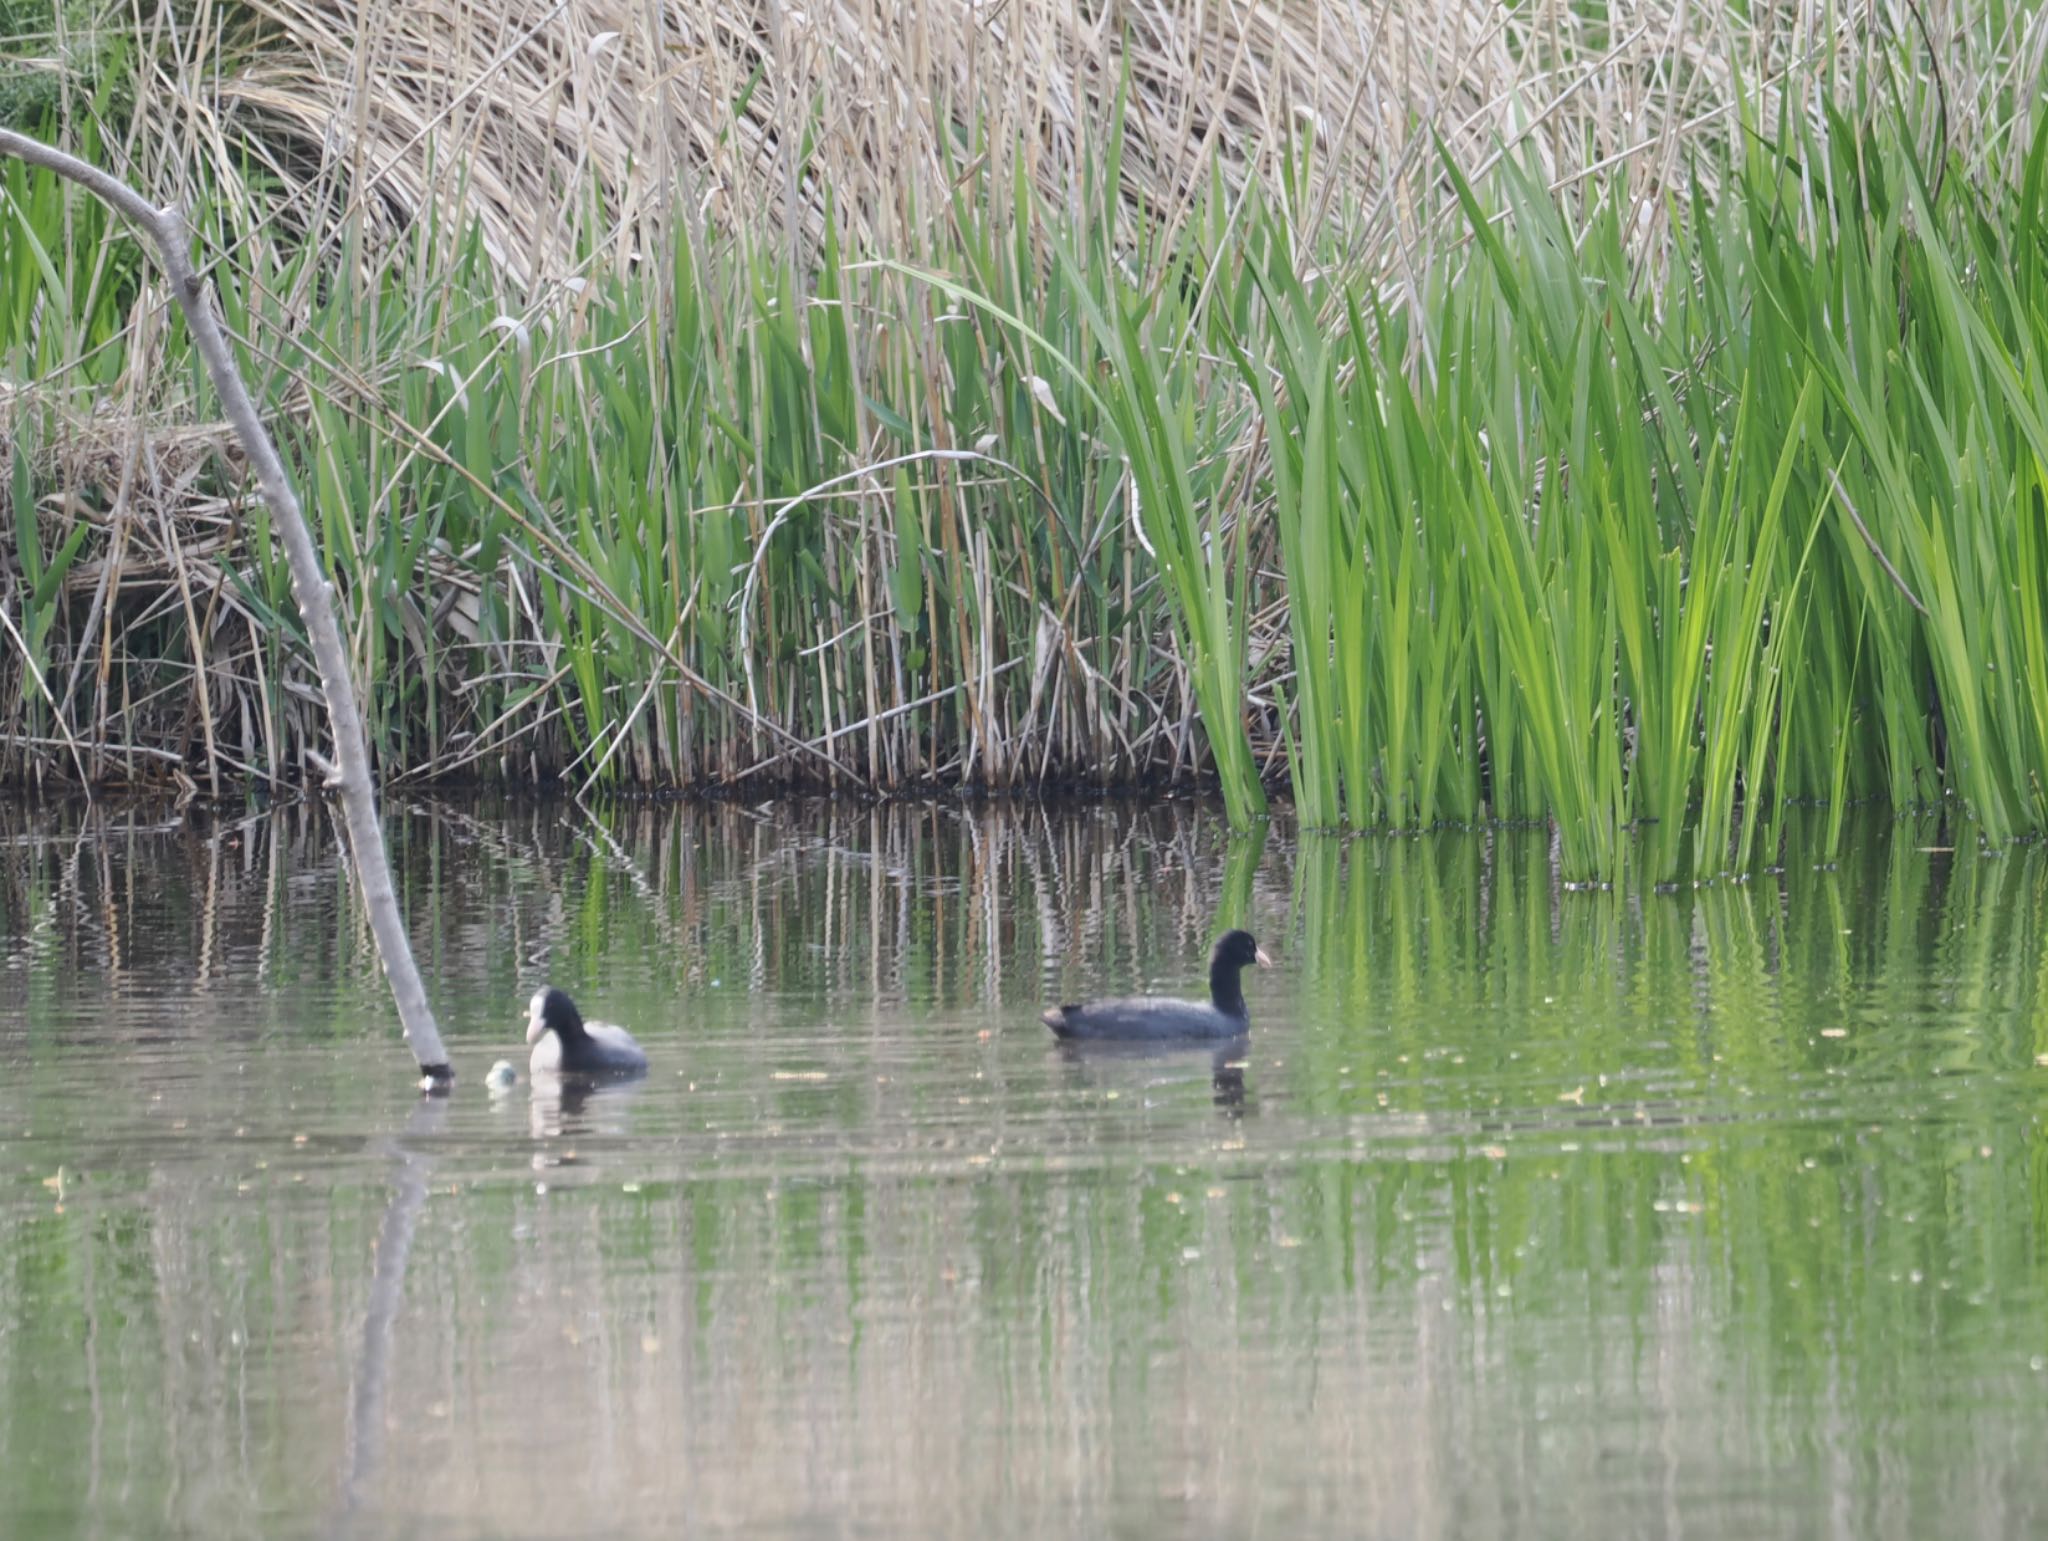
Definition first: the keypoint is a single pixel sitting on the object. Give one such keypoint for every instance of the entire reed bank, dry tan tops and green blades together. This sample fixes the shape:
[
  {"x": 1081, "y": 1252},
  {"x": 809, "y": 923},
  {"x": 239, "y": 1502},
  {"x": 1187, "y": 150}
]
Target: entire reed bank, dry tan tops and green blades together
[{"x": 1633, "y": 454}]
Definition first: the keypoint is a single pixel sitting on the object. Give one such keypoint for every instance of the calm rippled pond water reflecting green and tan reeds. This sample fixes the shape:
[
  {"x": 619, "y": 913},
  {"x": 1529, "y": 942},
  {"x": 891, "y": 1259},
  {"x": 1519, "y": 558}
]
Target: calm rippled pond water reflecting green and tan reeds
[{"x": 1529, "y": 1214}]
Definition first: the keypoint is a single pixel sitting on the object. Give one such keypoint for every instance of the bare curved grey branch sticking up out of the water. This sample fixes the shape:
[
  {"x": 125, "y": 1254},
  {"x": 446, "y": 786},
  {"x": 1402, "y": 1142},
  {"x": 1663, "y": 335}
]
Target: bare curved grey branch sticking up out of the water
[{"x": 308, "y": 583}]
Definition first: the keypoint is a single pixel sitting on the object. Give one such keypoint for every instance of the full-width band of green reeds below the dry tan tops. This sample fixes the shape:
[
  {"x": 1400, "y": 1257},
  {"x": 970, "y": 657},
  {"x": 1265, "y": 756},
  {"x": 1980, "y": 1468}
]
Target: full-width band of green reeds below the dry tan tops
[{"x": 1543, "y": 522}]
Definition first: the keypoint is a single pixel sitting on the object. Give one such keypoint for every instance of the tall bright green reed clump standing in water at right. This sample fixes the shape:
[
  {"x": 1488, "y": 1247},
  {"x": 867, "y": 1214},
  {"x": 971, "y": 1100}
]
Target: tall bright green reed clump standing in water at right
[{"x": 1768, "y": 530}]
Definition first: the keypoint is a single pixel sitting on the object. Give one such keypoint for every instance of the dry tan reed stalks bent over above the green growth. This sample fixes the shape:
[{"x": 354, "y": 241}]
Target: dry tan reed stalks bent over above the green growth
[{"x": 753, "y": 116}]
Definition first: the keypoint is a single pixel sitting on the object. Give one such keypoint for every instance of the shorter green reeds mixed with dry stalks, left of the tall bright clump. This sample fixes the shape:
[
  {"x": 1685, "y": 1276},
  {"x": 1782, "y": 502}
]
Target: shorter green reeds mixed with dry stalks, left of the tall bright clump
[{"x": 687, "y": 524}]
